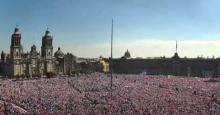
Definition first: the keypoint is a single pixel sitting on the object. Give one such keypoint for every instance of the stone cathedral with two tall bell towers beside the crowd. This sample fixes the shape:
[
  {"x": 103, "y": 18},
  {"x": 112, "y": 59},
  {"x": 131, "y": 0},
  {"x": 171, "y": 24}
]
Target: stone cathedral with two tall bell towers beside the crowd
[{"x": 34, "y": 63}]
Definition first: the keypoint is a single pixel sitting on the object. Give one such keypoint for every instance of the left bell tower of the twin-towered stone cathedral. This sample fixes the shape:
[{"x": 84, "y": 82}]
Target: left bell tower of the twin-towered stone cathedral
[{"x": 15, "y": 48}]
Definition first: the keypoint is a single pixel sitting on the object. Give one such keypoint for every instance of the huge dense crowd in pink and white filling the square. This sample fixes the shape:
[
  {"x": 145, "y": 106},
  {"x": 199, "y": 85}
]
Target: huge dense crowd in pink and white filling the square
[{"x": 92, "y": 95}]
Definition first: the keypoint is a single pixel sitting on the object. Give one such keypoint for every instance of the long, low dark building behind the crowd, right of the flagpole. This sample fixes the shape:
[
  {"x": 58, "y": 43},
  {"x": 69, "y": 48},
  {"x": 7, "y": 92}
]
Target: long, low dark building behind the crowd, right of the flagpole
[{"x": 166, "y": 66}]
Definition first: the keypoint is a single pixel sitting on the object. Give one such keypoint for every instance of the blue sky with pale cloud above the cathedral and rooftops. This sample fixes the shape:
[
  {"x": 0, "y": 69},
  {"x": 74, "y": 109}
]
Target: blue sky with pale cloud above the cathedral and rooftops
[{"x": 146, "y": 28}]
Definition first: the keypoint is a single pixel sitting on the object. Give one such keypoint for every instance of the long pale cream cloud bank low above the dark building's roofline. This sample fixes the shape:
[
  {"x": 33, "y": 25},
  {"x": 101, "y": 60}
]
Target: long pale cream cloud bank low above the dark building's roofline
[{"x": 148, "y": 47}]
